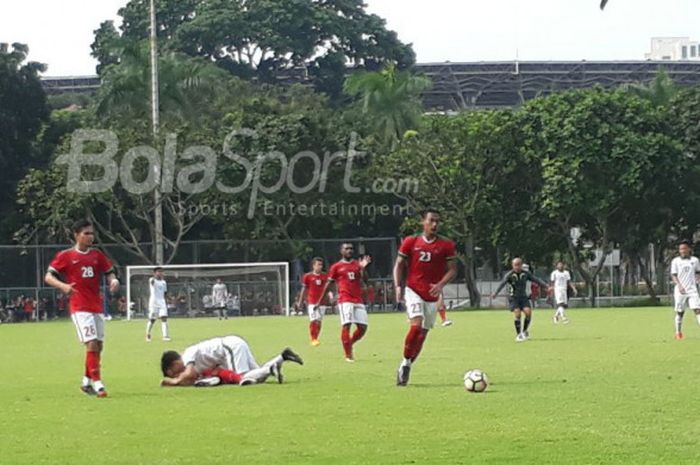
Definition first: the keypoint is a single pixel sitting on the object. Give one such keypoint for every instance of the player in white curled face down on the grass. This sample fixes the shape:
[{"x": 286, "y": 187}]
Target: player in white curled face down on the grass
[{"x": 221, "y": 360}]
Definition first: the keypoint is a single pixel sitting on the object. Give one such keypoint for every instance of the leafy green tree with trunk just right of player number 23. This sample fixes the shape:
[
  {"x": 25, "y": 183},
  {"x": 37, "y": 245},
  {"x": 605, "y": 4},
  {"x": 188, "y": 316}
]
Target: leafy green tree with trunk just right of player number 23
[{"x": 468, "y": 166}]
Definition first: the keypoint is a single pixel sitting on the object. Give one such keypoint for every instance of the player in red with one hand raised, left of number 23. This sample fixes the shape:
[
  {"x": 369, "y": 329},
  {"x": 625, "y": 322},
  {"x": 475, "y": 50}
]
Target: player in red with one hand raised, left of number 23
[{"x": 348, "y": 274}]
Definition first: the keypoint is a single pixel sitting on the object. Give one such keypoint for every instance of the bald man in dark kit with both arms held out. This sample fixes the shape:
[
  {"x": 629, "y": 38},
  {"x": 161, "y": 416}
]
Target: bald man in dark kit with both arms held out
[{"x": 517, "y": 279}]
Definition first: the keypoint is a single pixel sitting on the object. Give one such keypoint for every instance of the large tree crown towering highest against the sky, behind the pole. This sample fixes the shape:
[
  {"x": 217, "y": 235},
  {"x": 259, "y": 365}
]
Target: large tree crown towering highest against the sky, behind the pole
[{"x": 262, "y": 39}]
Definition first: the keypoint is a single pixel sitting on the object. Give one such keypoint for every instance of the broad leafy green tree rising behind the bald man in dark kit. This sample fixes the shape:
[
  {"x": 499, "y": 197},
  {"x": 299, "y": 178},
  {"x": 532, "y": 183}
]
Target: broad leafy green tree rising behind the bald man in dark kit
[{"x": 599, "y": 152}]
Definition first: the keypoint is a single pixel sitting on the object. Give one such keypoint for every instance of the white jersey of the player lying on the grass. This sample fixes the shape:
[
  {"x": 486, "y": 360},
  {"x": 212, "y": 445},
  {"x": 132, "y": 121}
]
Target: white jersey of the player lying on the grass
[{"x": 230, "y": 352}]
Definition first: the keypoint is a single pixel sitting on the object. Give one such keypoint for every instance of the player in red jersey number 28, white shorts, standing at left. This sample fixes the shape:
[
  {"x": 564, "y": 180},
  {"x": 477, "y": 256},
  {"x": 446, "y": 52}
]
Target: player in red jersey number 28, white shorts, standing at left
[{"x": 81, "y": 269}]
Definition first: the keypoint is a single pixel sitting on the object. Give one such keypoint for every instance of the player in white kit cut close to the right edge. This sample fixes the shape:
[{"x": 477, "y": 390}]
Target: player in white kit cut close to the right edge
[{"x": 685, "y": 272}]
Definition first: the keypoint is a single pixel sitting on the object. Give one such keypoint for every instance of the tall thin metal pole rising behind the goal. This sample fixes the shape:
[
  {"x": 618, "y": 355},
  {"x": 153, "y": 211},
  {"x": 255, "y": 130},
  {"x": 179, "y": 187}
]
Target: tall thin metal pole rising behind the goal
[{"x": 155, "y": 121}]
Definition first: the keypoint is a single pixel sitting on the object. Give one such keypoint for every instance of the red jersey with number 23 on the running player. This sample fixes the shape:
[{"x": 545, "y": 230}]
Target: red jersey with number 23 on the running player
[{"x": 427, "y": 263}]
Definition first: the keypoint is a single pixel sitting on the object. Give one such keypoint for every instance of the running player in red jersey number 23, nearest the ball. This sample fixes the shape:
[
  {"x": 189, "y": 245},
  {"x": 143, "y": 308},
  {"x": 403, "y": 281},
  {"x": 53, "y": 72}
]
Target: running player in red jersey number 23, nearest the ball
[{"x": 424, "y": 265}]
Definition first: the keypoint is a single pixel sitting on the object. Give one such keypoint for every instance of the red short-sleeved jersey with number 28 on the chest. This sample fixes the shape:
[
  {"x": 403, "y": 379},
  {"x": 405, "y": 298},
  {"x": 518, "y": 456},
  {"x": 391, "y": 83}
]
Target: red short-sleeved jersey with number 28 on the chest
[{"x": 84, "y": 270}]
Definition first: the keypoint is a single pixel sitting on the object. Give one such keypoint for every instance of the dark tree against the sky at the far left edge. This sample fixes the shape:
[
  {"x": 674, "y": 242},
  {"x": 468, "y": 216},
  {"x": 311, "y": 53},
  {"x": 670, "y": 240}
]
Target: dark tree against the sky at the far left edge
[{"x": 23, "y": 111}]
